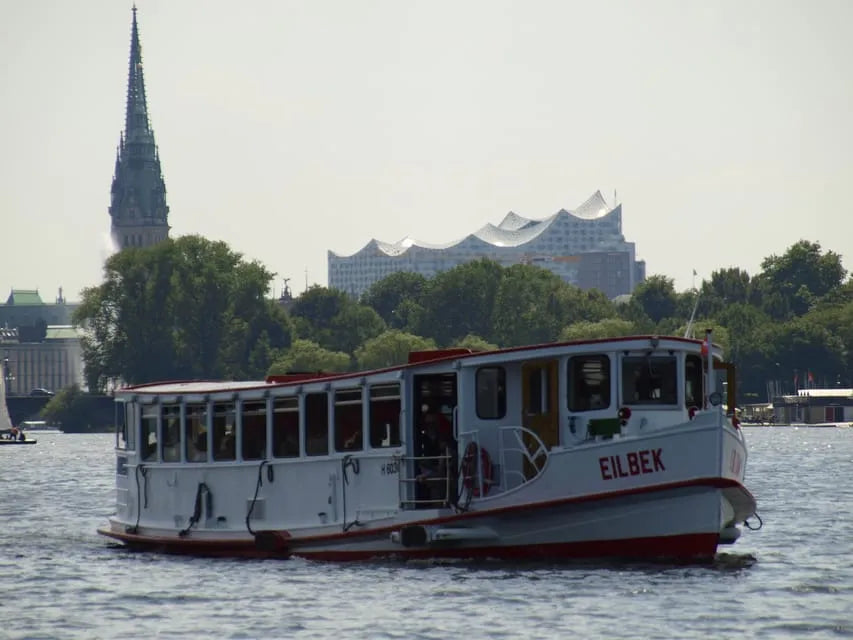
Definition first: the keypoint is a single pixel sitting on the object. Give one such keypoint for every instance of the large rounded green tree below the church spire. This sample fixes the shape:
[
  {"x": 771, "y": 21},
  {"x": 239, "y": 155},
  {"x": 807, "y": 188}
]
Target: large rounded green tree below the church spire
[{"x": 182, "y": 309}]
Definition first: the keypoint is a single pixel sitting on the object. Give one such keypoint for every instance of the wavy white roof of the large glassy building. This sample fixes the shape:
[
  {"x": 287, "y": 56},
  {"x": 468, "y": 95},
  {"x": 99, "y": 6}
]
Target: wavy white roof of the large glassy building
[{"x": 514, "y": 230}]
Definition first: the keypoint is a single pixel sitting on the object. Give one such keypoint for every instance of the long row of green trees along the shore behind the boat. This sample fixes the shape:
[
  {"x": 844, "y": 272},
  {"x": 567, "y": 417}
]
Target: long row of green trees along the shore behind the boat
[{"x": 191, "y": 308}]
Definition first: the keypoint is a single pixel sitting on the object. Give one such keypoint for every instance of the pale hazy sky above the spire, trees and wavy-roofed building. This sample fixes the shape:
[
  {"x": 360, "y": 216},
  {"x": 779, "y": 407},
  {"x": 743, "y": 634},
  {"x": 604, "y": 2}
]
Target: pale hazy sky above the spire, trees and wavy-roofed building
[{"x": 290, "y": 128}]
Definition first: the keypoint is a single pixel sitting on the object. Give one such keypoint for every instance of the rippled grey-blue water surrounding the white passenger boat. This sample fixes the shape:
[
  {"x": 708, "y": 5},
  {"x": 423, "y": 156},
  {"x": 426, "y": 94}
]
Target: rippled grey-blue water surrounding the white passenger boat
[{"x": 59, "y": 579}]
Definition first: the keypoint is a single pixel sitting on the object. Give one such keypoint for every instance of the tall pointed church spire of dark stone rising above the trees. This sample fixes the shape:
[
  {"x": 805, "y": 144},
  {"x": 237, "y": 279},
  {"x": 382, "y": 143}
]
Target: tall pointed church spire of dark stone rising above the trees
[{"x": 140, "y": 216}]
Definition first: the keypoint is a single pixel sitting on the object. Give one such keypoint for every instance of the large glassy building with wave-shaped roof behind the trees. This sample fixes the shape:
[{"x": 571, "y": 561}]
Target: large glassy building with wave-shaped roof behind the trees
[{"x": 585, "y": 247}]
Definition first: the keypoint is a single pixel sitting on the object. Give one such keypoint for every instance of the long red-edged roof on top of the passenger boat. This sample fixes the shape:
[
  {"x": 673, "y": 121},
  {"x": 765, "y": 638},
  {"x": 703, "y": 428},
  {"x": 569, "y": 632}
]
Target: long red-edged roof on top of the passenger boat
[{"x": 417, "y": 359}]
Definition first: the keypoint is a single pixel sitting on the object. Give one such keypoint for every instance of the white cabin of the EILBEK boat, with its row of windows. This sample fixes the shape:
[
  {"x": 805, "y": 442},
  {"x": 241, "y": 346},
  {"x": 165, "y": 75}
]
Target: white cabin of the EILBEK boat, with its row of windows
[{"x": 447, "y": 428}]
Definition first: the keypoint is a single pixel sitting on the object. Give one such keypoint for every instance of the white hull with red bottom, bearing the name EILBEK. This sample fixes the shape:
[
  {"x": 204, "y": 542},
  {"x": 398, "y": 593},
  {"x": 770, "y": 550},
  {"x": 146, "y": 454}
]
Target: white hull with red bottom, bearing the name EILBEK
[{"x": 609, "y": 499}]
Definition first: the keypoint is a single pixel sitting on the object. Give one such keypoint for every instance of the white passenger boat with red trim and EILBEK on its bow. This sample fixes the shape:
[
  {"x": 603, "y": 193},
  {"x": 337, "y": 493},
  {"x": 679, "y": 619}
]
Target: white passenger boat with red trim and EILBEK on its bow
[{"x": 617, "y": 448}]
